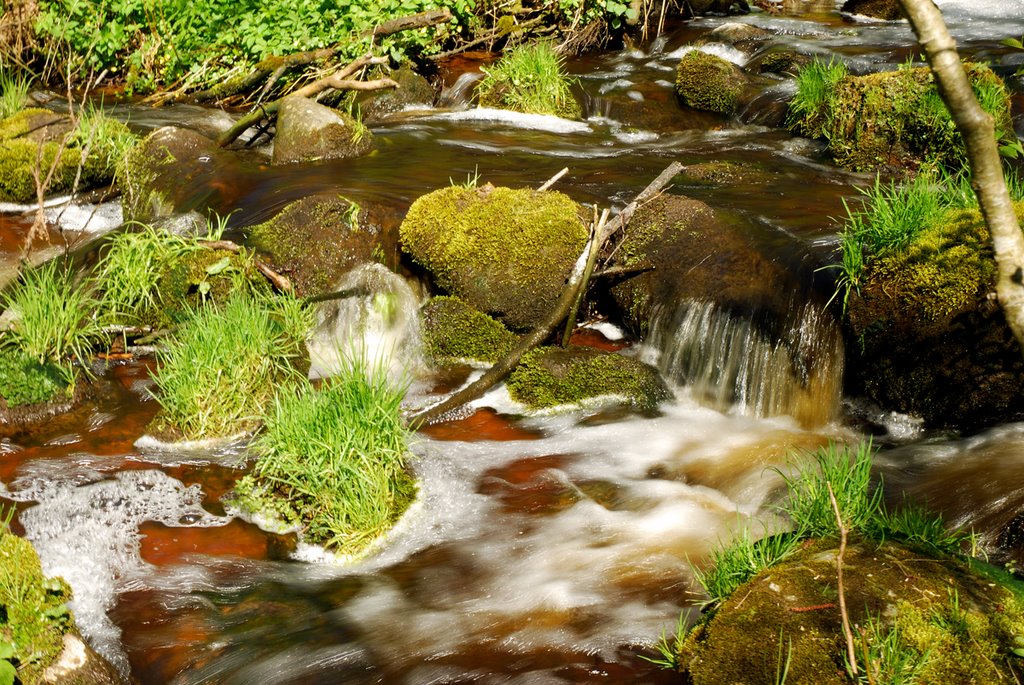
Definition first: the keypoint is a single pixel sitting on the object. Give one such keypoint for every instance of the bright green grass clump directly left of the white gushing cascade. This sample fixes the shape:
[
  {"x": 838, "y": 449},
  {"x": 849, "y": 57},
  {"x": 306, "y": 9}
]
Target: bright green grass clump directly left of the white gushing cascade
[{"x": 219, "y": 371}]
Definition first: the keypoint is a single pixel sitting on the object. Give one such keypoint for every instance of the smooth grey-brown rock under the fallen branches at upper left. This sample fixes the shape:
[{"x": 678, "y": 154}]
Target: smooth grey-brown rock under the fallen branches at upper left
[{"x": 309, "y": 132}]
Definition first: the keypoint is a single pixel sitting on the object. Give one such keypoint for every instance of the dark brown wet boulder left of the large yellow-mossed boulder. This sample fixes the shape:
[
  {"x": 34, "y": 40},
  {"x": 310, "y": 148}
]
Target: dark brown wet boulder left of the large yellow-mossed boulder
[{"x": 316, "y": 241}]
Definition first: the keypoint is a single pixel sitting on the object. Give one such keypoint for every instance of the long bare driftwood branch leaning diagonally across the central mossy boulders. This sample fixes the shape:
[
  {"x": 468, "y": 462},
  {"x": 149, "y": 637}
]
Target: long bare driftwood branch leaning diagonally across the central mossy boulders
[{"x": 574, "y": 290}]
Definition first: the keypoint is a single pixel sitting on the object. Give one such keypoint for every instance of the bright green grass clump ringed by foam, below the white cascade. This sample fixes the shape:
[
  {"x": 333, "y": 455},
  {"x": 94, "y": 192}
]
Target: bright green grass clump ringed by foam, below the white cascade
[{"x": 334, "y": 460}]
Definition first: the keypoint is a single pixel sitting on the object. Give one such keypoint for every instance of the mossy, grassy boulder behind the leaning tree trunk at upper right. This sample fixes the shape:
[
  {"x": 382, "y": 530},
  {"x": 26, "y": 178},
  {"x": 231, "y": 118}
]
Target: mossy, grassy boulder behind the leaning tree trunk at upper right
[{"x": 898, "y": 121}]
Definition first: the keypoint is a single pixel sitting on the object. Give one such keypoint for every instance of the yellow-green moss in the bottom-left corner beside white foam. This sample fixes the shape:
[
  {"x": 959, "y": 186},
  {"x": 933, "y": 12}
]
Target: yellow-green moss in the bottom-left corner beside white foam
[{"x": 35, "y": 616}]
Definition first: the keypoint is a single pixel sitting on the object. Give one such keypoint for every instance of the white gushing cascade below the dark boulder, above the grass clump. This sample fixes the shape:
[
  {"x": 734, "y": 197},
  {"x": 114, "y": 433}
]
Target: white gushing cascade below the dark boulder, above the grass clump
[{"x": 377, "y": 318}]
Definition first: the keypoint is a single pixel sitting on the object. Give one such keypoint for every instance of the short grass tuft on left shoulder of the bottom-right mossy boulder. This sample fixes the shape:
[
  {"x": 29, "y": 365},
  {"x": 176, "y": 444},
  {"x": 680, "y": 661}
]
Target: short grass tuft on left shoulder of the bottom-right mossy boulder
[{"x": 735, "y": 564}]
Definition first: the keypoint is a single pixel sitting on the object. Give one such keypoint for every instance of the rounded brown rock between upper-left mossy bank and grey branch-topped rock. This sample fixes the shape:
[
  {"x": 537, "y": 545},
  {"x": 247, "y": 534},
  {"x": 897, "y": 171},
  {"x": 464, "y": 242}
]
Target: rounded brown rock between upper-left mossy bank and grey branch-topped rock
[{"x": 170, "y": 166}]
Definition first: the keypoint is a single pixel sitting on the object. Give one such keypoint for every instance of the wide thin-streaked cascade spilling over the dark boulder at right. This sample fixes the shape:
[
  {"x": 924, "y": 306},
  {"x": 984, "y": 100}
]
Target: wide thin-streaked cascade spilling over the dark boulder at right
[{"x": 728, "y": 361}]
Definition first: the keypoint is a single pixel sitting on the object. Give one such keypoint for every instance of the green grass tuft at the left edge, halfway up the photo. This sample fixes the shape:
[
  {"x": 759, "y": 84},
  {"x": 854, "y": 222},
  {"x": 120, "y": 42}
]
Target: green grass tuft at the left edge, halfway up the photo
[{"x": 56, "y": 319}]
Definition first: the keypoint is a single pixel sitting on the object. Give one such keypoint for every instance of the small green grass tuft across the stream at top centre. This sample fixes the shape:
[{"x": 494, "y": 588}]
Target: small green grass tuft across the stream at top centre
[{"x": 530, "y": 79}]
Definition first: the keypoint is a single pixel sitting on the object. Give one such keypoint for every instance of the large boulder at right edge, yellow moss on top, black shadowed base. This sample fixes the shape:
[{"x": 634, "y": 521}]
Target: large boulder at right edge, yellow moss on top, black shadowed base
[{"x": 928, "y": 336}]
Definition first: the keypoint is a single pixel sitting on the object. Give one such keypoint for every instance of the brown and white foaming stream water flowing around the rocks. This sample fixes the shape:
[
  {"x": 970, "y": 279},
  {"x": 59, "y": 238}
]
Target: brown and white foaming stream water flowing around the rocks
[{"x": 544, "y": 549}]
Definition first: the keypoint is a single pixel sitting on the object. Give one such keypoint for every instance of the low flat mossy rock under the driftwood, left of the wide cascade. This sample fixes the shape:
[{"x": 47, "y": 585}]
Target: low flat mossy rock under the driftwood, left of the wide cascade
[{"x": 550, "y": 377}]
